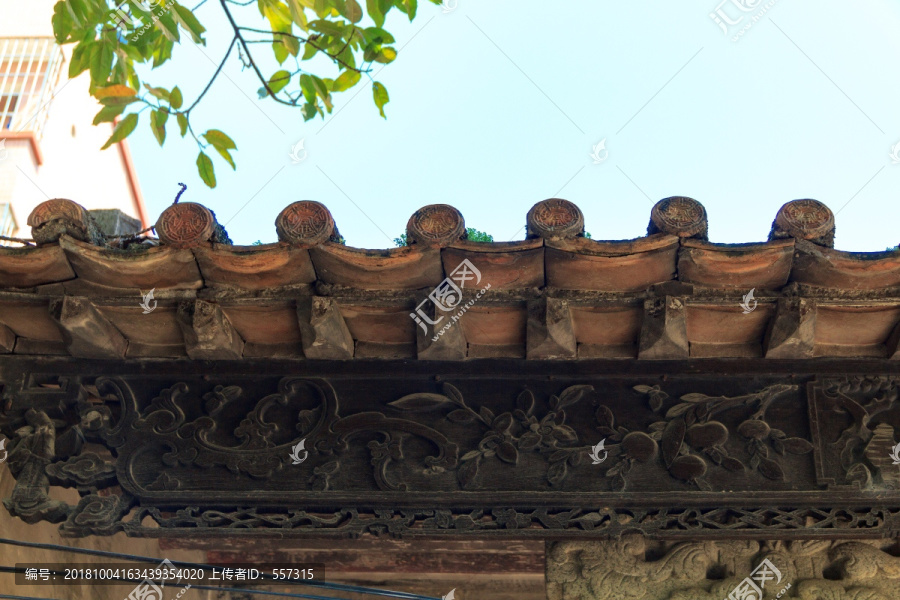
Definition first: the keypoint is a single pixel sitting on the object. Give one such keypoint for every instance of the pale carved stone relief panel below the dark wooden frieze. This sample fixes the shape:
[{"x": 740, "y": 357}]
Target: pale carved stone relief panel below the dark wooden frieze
[{"x": 637, "y": 568}]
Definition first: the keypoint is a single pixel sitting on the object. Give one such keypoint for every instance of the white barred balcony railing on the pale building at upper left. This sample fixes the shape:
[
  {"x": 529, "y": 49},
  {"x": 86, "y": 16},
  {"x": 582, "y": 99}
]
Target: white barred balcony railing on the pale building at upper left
[{"x": 29, "y": 71}]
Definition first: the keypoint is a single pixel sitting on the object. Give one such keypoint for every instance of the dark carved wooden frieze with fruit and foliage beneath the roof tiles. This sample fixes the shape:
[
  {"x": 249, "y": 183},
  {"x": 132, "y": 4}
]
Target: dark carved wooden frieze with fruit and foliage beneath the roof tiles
[{"x": 693, "y": 449}]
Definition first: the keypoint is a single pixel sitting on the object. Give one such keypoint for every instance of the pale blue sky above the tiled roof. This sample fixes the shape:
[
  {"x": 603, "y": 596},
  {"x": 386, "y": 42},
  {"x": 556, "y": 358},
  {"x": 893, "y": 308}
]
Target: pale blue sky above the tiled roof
[{"x": 497, "y": 105}]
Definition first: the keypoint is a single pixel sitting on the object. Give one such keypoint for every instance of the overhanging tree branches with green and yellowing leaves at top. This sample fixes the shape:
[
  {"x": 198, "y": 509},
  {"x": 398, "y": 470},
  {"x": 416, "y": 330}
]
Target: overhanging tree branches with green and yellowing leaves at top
[{"x": 114, "y": 44}]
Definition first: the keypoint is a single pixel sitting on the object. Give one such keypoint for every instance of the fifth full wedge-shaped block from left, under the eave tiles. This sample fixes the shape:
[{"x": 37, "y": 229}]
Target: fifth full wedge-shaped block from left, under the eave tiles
[{"x": 551, "y": 333}]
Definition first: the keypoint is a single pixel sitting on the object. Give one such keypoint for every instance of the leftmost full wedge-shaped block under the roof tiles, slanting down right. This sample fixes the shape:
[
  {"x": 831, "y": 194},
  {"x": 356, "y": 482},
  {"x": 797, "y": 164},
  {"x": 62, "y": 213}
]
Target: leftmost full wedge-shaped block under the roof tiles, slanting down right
[{"x": 86, "y": 332}]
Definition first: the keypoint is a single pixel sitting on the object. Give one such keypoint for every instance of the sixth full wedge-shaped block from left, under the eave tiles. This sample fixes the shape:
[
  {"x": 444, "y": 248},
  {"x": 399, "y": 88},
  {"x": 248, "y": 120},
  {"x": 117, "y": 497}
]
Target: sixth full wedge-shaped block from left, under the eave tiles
[{"x": 664, "y": 329}]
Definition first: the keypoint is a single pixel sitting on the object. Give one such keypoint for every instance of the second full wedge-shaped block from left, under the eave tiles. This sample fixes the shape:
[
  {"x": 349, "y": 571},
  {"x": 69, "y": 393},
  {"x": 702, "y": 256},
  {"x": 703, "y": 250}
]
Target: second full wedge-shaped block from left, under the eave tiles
[{"x": 208, "y": 334}]
